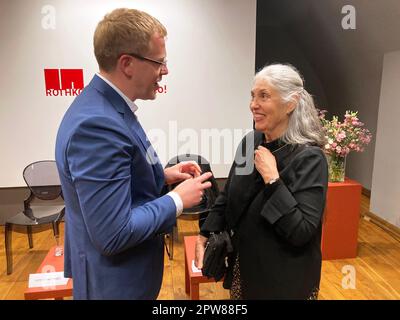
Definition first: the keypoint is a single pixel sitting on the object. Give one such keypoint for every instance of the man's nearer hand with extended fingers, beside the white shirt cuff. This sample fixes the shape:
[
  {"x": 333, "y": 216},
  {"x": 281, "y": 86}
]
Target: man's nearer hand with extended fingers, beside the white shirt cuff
[{"x": 191, "y": 190}]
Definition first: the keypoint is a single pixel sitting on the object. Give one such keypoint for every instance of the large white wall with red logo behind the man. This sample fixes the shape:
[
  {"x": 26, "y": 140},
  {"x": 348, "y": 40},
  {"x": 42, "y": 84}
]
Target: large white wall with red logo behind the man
[{"x": 211, "y": 53}]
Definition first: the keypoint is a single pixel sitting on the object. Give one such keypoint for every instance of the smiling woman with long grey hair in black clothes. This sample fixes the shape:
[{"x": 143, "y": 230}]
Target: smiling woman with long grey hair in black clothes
[{"x": 274, "y": 213}]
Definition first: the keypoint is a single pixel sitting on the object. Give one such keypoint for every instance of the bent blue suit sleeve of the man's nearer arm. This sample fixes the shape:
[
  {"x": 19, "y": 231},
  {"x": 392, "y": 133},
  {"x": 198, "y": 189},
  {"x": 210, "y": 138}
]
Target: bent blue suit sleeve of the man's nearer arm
[{"x": 99, "y": 156}]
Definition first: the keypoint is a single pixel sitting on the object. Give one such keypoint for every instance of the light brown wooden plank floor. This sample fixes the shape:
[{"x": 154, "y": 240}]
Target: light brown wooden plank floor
[{"x": 377, "y": 267}]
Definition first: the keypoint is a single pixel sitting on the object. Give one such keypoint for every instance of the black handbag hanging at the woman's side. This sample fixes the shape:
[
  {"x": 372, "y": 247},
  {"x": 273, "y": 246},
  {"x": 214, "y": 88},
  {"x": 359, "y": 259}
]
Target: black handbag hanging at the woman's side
[{"x": 218, "y": 249}]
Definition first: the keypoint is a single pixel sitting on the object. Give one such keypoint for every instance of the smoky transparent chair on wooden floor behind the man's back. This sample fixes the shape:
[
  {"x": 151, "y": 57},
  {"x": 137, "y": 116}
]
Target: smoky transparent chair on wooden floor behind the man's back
[{"x": 43, "y": 182}]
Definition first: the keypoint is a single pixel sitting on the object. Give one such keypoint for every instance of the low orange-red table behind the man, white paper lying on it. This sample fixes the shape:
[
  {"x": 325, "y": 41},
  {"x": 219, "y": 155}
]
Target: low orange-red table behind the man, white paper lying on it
[{"x": 51, "y": 263}]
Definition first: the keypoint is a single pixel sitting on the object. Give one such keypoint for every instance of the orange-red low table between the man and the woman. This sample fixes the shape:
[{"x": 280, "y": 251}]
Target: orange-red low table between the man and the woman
[{"x": 192, "y": 279}]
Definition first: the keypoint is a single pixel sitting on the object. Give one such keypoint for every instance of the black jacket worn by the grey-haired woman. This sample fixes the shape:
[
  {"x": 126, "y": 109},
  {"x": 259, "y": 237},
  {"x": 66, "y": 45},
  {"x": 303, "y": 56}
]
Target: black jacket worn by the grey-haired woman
[{"x": 277, "y": 228}]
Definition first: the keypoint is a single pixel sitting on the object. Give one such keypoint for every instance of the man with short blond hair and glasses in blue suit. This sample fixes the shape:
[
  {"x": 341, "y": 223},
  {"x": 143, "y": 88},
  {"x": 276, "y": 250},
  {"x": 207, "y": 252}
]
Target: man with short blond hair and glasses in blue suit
[{"x": 111, "y": 178}]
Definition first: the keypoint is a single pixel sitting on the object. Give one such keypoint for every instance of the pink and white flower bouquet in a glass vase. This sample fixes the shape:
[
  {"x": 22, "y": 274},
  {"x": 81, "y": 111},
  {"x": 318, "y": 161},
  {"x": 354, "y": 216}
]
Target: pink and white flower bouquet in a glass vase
[{"x": 343, "y": 137}]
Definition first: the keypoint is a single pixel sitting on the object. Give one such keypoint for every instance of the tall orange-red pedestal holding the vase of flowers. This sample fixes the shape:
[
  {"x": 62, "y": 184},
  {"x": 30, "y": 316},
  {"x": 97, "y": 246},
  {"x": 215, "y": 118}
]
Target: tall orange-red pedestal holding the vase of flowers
[{"x": 341, "y": 219}]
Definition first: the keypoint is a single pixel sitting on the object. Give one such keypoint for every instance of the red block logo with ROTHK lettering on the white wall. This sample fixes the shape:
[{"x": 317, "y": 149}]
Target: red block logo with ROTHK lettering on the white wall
[{"x": 63, "y": 82}]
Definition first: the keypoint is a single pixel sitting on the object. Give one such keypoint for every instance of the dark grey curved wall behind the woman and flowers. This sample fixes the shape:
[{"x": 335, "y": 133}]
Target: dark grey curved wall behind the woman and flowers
[{"x": 342, "y": 68}]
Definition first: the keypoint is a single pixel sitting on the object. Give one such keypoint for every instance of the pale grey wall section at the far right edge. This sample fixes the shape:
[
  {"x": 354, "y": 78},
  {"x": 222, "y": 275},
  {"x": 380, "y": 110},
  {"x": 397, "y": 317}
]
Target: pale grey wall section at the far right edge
[{"x": 386, "y": 175}]
